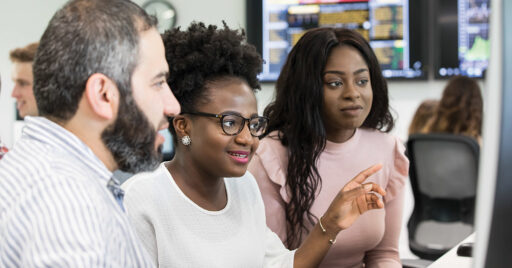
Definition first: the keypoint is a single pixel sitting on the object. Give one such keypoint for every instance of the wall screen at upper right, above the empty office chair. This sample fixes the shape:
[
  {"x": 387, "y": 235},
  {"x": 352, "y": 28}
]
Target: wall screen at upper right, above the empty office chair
[{"x": 461, "y": 38}]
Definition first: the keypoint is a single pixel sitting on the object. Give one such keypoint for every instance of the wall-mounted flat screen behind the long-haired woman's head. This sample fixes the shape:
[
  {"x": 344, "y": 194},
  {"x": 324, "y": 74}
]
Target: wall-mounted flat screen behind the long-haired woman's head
[{"x": 396, "y": 30}]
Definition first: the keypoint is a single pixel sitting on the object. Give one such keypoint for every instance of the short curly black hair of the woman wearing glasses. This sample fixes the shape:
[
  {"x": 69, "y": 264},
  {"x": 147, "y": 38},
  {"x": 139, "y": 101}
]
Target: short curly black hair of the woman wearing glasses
[{"x": 204, "y": 54}]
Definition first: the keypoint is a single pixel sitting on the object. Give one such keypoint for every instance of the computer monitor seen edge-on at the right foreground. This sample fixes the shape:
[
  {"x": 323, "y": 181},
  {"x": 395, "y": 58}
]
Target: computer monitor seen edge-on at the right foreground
[{"x": 494, "y": 198}]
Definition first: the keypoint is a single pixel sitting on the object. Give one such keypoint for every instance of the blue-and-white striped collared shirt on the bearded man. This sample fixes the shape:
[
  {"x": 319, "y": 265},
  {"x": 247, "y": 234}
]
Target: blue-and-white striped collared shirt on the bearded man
[{"x": 55, "y": 207}]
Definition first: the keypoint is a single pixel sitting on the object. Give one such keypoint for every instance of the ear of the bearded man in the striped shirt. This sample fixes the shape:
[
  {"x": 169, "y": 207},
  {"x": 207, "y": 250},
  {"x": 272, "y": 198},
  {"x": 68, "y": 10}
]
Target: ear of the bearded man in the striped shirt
[{"x": 102, "y": 95}]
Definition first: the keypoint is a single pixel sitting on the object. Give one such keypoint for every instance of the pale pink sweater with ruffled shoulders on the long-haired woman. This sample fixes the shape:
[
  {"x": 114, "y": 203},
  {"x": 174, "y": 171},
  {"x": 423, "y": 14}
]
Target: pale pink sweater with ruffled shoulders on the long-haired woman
[{"x": 373, "y": 238}]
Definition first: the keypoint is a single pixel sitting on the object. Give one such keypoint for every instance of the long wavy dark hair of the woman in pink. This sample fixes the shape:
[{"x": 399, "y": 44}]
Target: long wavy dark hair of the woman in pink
[{"x": 296, "y": 115}]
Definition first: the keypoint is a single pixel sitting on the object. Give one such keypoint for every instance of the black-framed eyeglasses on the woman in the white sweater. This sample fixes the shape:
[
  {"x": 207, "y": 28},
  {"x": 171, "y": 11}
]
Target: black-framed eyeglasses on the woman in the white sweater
[{"x": 232, "y": 124}]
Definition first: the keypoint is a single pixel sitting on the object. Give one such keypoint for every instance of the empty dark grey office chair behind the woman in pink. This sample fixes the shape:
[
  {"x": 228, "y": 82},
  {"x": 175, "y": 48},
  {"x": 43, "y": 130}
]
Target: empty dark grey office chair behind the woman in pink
[{"x": 443, "y": 173}]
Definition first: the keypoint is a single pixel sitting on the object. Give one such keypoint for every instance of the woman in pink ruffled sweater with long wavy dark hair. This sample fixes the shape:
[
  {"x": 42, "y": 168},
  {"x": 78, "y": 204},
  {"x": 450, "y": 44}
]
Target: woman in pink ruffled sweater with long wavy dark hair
[{"x": 330, "y": 120}]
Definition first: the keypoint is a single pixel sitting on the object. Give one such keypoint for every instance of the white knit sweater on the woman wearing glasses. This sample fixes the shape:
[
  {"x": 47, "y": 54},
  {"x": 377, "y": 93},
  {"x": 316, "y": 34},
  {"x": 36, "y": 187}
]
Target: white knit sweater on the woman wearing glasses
[{"x": 179, "y": 233}]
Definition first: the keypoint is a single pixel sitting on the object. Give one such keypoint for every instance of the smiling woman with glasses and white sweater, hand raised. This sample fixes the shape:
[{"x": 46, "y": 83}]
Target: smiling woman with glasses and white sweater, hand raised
[{"x": 203, "y": 209}]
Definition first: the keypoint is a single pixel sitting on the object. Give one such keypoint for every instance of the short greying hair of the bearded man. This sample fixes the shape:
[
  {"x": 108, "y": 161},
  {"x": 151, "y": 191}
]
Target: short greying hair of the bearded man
[{"x": 86, "y": 37}]
